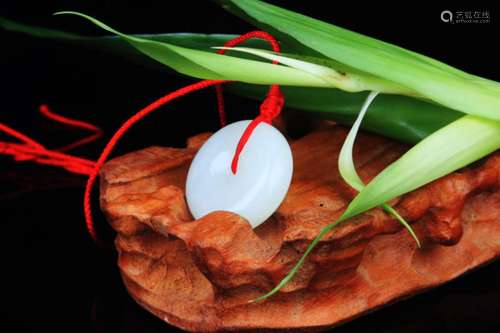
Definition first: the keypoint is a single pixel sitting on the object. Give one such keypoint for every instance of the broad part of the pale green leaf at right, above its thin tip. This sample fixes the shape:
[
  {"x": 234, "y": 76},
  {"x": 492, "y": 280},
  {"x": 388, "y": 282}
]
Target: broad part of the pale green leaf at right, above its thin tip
[{"x": 458, "y": 144}]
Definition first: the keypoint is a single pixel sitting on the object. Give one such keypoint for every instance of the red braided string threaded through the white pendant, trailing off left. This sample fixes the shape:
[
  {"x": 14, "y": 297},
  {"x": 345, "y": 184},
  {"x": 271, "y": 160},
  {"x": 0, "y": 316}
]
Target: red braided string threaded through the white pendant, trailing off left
[{"x": 32, "y": 150}]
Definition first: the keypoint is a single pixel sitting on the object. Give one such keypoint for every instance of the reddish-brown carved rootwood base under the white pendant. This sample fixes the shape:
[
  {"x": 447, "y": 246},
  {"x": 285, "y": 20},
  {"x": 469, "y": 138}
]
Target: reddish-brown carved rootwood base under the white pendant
[{"x": 199, "y": 275}]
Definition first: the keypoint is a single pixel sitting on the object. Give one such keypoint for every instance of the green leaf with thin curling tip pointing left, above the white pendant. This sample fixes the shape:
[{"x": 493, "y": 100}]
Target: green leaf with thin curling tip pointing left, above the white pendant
[{"x": 207, "y": 65}]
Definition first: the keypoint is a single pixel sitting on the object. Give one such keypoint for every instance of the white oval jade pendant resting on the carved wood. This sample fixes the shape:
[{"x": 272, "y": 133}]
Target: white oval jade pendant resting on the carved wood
[{"x": 260, "y": 184}]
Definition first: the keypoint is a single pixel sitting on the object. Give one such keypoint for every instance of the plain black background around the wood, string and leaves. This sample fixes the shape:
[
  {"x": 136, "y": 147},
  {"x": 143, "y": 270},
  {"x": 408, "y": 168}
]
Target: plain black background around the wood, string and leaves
[{"x": 53, "y": 277}]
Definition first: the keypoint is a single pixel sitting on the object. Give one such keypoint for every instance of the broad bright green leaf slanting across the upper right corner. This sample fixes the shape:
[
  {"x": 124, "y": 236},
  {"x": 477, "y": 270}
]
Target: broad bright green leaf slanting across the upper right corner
[{"x": 425, "y": 76}]
